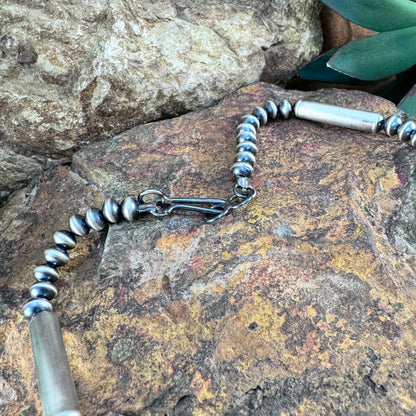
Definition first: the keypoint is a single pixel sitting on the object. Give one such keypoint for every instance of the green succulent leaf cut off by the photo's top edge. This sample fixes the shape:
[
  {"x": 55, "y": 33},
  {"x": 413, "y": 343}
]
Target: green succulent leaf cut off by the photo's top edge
[{"x": 378, "y": 15}]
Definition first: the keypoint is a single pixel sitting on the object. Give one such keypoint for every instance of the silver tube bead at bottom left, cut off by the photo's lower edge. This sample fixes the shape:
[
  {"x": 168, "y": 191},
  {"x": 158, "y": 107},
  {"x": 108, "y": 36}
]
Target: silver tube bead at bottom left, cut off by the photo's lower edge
[{"x": 56, "y": 387}]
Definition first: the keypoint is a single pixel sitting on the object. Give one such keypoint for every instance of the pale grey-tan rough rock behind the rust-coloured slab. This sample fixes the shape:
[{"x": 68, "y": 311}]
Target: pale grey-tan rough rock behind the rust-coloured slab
[{"x": 81, "y": 71}]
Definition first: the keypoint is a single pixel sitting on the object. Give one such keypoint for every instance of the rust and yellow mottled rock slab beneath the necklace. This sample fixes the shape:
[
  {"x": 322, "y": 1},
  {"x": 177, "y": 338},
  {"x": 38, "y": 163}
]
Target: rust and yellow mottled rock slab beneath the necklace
[{"x": 300, "y": 303}]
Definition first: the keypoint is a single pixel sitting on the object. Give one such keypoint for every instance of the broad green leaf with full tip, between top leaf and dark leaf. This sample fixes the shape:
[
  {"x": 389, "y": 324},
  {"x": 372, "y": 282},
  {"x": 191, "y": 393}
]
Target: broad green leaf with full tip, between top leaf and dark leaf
[{"x": 377, "y": 56}]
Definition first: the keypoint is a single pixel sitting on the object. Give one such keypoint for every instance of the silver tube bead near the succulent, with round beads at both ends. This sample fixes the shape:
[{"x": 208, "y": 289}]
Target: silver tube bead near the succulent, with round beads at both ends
[{"x": 339, "y": 116}]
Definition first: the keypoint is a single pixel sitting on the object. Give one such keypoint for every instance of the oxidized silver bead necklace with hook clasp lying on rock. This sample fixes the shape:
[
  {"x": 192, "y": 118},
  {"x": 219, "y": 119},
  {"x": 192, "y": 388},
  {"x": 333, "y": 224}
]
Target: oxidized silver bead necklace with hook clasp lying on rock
[{"x": 55, "y": 382}]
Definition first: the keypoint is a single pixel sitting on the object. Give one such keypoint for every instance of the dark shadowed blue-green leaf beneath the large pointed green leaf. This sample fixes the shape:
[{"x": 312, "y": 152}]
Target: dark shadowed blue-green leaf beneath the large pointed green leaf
[{"x": 318, "y": 70}]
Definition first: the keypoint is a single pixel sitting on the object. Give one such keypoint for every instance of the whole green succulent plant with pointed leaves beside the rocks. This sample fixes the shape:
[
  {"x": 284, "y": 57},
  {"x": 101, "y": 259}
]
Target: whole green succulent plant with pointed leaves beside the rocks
[{"x": 377, "y": 57}]
